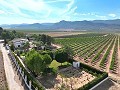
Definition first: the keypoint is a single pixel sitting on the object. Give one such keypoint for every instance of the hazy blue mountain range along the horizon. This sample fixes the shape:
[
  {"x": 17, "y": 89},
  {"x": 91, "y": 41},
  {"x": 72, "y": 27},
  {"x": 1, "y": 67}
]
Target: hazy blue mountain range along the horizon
[{"x": 99, "y": 25}]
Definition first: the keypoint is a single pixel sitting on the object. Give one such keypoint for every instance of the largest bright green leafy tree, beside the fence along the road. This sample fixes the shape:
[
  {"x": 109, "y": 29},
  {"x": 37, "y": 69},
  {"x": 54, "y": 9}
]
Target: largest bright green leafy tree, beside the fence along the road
[{"x": 34, "y": 61}]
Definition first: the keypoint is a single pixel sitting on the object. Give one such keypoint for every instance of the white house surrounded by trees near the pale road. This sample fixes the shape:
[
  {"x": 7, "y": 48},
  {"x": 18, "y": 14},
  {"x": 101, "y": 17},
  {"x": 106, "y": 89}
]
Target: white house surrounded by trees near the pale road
[{"x": 19, "y": 42}]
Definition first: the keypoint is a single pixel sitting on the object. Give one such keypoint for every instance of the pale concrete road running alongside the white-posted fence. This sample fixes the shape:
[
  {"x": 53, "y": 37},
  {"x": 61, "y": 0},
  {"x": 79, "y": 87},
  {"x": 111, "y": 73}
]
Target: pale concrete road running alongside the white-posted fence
[{"x": 12, "y": 79}]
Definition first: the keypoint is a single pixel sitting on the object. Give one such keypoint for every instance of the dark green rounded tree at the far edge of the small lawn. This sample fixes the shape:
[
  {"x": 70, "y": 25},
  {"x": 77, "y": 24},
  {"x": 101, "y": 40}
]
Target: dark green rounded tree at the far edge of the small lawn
[{"x": 61, "y": 56}]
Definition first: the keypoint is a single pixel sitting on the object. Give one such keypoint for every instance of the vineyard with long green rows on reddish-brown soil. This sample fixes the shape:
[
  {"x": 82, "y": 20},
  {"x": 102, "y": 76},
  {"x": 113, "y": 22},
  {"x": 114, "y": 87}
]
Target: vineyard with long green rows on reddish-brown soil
[{"x": 96, "y": 50}]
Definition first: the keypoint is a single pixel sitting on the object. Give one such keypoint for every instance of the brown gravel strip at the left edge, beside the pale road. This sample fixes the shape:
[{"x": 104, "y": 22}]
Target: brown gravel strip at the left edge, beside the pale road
[{"x": 3, "y": 82}]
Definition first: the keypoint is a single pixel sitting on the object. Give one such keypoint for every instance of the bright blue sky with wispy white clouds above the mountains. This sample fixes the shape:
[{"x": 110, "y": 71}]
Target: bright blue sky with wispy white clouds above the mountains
[{"x": 44, "y": 11}]
